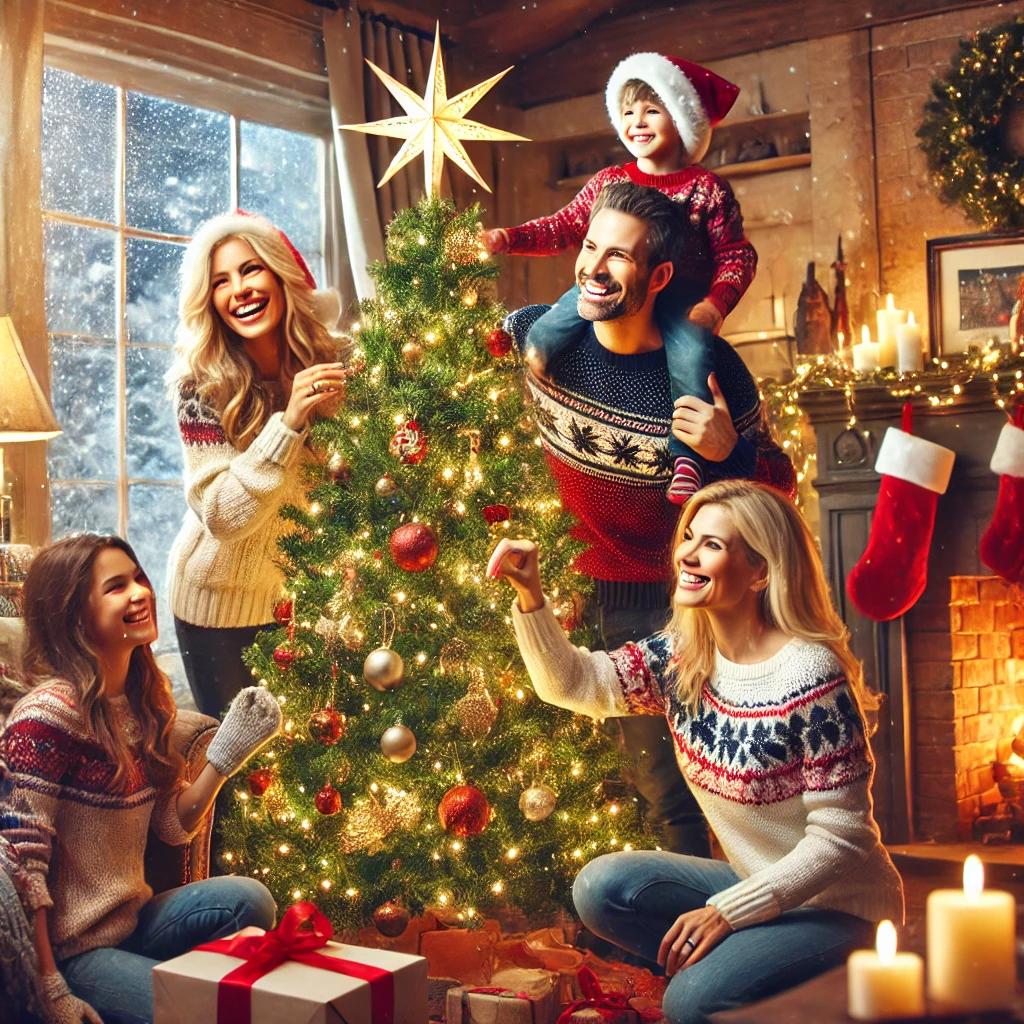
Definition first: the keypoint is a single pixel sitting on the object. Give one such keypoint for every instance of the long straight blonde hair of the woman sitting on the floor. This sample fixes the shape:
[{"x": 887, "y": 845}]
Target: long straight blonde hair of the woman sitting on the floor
[{"x": 796, "y": 601}]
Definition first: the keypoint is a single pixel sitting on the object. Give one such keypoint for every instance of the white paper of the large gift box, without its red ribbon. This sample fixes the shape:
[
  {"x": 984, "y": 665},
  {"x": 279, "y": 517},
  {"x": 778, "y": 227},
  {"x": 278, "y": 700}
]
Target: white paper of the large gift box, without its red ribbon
[{"x": 186, "y": 990}]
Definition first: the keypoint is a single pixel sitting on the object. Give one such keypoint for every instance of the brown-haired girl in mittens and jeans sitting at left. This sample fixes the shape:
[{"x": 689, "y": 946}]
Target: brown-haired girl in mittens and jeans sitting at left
[{"x": 89, "y": 772}]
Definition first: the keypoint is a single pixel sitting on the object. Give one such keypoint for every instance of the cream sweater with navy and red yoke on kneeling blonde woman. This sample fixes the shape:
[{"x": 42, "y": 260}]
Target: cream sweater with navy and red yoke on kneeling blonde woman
[{"x": 776, "y": 755}]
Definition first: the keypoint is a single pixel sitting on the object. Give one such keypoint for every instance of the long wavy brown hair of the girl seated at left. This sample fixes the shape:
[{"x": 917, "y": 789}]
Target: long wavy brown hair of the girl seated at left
[{"x": 58, "y": 647}]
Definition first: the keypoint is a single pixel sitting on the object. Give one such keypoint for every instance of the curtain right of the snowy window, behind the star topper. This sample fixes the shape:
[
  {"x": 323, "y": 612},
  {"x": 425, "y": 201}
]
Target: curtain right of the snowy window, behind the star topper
[{"x": 352, "y": 38}]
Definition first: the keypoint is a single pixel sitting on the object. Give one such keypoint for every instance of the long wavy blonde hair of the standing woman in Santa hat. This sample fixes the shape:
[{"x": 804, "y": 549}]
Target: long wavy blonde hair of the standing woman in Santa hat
[{"x": 211, "y": 359}]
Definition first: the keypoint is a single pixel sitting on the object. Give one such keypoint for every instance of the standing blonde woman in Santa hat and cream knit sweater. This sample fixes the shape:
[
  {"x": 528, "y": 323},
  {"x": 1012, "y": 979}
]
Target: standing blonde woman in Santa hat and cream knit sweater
[{"x": 257, "y": 361}]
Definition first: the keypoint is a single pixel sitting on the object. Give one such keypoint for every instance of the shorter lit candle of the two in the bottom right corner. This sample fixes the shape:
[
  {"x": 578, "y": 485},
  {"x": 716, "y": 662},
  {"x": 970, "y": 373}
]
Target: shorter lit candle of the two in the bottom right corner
[{"x": 883, "y": 985}]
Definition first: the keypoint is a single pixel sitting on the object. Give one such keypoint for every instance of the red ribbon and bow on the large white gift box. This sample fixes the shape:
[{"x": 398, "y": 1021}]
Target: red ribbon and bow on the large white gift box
[{"x": 303, "y": 931}]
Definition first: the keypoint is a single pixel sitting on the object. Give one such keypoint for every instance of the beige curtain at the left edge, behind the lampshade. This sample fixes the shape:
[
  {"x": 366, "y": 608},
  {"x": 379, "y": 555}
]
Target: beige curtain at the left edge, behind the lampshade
[{"x": 23, "y": 274}]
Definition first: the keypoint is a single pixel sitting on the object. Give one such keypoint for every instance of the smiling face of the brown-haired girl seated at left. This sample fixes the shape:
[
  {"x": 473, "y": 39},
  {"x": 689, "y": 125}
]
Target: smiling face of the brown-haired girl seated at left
[{"x": 120, "y": 609}]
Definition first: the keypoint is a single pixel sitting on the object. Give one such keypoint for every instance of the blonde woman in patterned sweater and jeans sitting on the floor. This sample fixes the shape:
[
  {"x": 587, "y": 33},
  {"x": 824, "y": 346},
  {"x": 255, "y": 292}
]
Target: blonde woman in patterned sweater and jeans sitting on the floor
[{"x": 766, "y": 706}]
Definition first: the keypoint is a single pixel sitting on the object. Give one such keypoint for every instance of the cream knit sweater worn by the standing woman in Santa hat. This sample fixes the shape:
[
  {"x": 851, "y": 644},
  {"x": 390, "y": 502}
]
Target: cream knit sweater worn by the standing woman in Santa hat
[{"x": 222, "y": 570}]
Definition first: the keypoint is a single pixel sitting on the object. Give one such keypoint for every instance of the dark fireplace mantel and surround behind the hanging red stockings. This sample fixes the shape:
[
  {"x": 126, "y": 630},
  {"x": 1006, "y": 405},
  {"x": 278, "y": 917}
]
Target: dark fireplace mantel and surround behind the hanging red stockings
[{"x": 909, "y": 660}]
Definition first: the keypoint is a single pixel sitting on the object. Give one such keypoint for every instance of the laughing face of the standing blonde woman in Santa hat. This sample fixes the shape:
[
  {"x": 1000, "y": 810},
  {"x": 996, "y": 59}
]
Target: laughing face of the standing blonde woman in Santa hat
[{"x": 247, "y": 295}]
